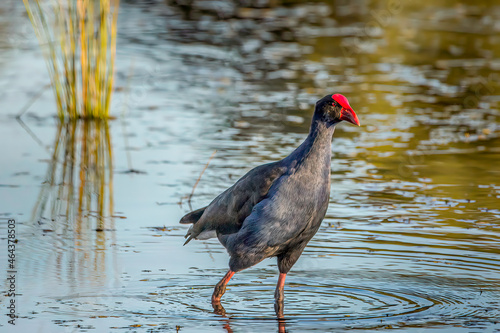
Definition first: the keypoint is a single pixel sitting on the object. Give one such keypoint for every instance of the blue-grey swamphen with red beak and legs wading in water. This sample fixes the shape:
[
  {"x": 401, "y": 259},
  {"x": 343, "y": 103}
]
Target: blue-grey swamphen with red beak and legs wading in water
[{"x": 276, "y": 208}]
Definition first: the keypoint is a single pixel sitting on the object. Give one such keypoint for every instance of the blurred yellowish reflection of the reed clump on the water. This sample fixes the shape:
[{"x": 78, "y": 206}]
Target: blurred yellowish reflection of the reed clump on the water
[{"x": 75, "y": 205}]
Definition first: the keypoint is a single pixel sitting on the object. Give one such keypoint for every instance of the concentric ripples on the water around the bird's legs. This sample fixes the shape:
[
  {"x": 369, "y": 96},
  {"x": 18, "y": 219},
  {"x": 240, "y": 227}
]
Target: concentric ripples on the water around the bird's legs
[{"x": 407, "y": 300}]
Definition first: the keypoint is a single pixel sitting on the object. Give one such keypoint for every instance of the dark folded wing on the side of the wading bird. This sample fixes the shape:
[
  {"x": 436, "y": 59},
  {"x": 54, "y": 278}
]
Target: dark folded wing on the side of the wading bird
[{"x": 226, "y": 213}]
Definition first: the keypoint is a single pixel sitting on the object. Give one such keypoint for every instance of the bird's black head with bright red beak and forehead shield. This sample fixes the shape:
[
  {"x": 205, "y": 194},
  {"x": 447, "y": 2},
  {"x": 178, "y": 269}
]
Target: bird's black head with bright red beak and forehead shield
[{"x": 332, "y": 109}]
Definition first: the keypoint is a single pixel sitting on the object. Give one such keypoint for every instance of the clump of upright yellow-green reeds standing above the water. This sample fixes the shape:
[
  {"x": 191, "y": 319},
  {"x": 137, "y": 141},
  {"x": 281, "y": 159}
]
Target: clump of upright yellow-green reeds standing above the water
[{"x": 78, "y": 40}]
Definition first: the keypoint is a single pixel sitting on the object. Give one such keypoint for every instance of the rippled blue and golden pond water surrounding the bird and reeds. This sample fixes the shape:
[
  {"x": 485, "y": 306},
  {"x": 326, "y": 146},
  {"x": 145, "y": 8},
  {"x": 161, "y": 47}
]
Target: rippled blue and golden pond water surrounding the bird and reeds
[{"x": 411, "y": 238}]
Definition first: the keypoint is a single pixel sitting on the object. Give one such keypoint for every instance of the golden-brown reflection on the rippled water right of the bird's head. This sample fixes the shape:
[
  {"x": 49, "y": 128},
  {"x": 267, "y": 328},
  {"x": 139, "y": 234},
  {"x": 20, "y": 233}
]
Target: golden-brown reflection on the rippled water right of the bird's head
[{"x": 426, "y": 76}]
